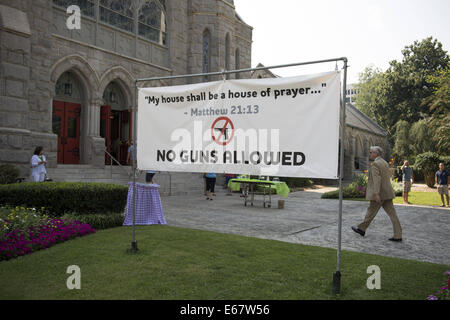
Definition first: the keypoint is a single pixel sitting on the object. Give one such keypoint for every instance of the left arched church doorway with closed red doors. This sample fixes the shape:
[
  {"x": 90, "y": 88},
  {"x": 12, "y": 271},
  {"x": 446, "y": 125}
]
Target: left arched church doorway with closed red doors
[{"x": 66, "y": 118}]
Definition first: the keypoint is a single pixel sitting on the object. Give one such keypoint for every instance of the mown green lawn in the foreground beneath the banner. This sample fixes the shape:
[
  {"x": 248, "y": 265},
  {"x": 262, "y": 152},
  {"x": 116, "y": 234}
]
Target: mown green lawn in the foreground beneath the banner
[{"x": 178, "y": 263}]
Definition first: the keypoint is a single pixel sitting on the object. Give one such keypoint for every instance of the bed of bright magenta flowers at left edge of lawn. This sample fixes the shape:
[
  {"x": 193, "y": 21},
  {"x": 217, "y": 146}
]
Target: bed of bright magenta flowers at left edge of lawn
[{"x": 20, "y": 242}]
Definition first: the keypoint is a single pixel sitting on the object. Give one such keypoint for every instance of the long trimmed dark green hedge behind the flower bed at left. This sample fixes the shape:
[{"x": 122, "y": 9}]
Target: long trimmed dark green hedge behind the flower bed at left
[{"x": 59, "y": 198}]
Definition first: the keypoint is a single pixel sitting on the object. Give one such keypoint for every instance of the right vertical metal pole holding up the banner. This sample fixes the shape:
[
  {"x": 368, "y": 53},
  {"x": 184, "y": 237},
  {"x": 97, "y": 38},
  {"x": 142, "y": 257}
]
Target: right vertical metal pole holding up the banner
[{"x": 337, "y": 274}]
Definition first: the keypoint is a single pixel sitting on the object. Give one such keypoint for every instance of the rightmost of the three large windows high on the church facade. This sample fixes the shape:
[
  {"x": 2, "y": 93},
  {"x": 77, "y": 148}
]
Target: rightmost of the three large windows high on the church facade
[{"x": 152, "y": 21}]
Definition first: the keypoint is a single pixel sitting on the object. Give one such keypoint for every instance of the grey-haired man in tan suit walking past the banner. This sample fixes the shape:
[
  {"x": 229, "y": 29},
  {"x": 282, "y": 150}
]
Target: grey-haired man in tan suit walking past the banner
[{"x": 380, "y": 193}]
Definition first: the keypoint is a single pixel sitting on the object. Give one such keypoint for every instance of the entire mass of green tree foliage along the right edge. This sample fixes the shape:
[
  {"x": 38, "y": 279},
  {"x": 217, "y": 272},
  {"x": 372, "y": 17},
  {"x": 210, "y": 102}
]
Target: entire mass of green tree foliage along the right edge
[{"x": 411, "y": 99}]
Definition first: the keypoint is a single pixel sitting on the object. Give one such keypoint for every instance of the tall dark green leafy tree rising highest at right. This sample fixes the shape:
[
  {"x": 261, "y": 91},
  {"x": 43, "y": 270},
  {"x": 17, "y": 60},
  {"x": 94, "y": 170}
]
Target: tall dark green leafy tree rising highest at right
[{"x": 399, "y": 92}]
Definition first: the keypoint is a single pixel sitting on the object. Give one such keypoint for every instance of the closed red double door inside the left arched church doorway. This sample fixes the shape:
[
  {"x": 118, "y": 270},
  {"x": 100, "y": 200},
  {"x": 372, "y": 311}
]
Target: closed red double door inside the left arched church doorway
[{"x": 66, "y": 124}]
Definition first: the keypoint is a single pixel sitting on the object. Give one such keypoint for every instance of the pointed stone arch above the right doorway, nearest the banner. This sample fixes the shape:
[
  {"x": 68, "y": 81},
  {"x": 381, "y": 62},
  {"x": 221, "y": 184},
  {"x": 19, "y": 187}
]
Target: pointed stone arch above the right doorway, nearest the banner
[{"x": 123, "y": 78}]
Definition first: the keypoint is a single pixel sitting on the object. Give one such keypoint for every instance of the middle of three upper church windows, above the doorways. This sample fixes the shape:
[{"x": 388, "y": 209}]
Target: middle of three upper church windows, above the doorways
[{"x": 118, "y": 13}]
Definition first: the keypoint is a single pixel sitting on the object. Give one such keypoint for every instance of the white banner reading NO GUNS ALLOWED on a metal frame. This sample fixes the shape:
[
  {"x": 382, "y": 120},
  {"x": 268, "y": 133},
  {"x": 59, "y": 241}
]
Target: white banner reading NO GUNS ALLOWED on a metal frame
[{"x": 276, "y": 127}]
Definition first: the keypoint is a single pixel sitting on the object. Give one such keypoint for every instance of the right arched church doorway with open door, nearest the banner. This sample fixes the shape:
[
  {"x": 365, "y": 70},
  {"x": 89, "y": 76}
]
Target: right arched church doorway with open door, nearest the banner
[{"x": 115, "y": 123}]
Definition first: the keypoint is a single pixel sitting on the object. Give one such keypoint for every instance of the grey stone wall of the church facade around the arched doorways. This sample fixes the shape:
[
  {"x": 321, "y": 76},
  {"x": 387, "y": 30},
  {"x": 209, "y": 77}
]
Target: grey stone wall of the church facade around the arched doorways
[{"x": 36, "y": 49}]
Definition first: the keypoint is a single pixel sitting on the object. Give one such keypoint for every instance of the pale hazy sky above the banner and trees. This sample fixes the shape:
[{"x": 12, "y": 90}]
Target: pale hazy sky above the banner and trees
[{"x": 367, "y": 32}]
